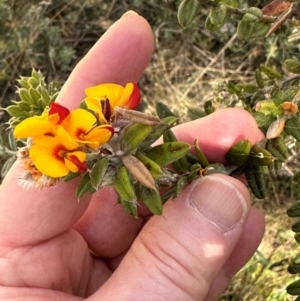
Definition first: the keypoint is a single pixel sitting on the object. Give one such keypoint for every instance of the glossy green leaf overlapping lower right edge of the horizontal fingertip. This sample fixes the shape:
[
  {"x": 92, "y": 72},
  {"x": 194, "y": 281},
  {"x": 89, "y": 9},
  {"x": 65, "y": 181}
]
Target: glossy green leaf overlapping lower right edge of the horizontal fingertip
[{"x": 239, "y": 153}]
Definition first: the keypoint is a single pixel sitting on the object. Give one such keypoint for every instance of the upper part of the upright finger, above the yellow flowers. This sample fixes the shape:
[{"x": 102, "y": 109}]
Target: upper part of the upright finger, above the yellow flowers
[{"x": 119, "y": 56}]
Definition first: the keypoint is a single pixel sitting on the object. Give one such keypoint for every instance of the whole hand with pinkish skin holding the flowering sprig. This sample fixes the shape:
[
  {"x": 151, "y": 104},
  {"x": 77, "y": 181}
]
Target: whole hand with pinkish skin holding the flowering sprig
[{"x": 190, "y": 253}]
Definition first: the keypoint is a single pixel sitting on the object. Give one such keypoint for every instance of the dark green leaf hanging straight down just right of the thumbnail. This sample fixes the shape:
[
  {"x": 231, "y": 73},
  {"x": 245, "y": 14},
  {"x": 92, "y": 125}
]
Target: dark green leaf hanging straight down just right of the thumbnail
[{"x": 255, "y": 176}]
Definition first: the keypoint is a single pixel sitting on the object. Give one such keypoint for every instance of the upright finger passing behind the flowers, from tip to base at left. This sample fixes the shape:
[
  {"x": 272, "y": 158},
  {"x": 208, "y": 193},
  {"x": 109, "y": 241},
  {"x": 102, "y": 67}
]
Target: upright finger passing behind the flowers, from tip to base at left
[{"x": 33, "y": 215}]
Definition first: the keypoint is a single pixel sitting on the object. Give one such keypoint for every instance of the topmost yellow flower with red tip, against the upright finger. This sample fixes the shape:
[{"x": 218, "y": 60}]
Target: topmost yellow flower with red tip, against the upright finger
[{"x": 102, "y": 99}]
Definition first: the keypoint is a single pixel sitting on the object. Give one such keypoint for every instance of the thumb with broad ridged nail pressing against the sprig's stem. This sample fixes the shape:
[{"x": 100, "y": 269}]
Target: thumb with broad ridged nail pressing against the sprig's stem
[{"x": 183, "y": 254}]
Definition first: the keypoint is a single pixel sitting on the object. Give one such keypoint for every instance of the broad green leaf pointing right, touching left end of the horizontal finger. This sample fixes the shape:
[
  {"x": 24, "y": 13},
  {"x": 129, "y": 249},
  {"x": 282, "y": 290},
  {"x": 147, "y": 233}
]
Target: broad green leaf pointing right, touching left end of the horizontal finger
[{"x": 167, "y": 153}]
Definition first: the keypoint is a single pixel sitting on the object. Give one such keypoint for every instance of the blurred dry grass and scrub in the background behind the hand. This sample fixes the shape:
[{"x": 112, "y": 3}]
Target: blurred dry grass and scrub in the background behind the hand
[{"x": 189, "y": 66}]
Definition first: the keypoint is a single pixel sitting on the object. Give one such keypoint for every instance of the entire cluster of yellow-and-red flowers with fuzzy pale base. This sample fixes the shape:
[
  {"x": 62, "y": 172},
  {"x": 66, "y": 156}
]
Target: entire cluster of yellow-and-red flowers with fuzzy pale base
[{"x": 58, "y": 141}]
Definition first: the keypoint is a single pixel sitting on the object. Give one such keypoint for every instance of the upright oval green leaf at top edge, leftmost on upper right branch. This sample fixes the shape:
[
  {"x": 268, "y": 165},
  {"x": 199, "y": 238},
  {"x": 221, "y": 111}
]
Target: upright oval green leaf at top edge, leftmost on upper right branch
[{"x": 187, "y": 12}]
